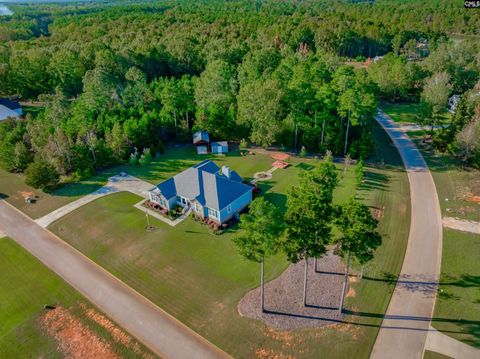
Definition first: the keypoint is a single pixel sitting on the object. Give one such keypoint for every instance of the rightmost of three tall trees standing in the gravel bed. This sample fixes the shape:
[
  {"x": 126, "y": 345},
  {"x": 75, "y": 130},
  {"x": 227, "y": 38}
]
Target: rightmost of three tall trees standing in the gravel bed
[{"x": 359, "y": 237}]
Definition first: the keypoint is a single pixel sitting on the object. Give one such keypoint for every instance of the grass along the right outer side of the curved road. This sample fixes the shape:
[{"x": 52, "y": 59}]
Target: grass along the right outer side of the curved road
[{"x": 457, "y": 311}]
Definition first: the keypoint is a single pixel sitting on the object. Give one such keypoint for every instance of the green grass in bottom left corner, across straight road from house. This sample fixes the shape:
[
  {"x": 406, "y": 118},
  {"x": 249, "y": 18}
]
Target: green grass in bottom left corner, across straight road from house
[{"x": 26, "y": 285}]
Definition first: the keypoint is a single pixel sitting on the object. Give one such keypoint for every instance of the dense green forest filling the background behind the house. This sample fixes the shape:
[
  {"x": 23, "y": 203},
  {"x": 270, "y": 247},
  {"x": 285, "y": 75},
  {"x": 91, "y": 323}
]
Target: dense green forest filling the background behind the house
[{"x": 118, "y": 79}]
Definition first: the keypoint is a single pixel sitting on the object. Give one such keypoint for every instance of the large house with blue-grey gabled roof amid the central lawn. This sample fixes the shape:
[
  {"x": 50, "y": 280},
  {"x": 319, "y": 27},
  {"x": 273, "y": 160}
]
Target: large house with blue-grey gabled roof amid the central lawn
[{"x": 211, "y": 192}]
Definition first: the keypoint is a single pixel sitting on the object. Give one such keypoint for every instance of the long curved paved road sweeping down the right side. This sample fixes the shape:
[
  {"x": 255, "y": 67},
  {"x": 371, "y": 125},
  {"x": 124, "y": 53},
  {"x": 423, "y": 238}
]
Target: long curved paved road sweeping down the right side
[{"x": 406, "y": 324}]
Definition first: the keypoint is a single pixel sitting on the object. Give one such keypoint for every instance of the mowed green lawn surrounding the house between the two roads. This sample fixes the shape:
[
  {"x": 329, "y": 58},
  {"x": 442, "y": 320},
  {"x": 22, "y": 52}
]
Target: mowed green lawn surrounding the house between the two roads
[{"x": 199, "y": 277}]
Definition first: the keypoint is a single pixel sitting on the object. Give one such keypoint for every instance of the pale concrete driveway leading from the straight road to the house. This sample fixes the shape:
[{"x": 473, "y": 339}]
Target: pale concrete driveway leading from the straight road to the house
[{"x": 115, "y": 184}]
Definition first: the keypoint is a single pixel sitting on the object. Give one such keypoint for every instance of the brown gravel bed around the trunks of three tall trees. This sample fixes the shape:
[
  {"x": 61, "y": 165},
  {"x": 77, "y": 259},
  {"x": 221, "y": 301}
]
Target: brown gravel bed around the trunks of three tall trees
[{"x": 284, "y": 296}]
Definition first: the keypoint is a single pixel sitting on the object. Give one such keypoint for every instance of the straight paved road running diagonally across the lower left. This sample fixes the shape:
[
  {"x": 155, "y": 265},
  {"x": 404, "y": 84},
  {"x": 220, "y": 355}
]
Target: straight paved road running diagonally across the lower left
[{"x": 159, "y": 331}]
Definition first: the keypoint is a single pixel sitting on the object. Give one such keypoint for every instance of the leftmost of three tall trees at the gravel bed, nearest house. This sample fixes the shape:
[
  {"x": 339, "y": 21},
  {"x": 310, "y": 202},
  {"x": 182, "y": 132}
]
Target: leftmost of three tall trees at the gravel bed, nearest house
[{"x": 260, "y": 236}]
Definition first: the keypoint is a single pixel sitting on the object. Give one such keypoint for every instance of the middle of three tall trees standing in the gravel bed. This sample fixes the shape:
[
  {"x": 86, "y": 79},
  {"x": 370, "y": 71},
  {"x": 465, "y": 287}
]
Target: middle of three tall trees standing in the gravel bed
[{"x": 309, "y": 215}]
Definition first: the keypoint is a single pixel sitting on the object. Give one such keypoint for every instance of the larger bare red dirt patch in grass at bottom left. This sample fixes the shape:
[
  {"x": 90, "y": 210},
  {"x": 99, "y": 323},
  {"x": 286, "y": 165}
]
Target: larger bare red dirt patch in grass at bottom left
[{"x": 74, "y": 339}]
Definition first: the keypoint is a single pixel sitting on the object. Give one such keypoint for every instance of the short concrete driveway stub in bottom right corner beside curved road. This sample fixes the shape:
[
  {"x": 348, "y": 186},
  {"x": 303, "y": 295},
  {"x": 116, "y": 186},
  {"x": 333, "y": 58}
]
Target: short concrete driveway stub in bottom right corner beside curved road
[{"x": 443, "y": 344}]
